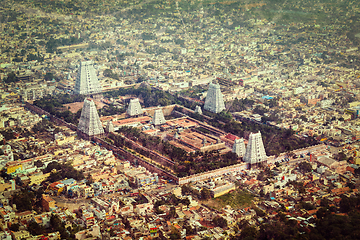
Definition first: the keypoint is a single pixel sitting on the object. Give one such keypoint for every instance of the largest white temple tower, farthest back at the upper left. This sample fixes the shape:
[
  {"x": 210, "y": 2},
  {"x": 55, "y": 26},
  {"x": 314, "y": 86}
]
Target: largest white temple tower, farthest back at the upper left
[{"x": 87, "y": 82}]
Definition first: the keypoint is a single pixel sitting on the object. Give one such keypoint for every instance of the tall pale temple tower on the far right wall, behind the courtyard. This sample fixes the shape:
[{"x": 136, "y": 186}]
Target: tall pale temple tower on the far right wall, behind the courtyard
[{"x": 214, "y": 99}]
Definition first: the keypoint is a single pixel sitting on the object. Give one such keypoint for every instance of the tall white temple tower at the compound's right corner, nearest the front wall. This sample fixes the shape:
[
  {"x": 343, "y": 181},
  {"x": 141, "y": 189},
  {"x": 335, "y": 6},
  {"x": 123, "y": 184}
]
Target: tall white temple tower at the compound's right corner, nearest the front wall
[{"x": 255, "y": 151}]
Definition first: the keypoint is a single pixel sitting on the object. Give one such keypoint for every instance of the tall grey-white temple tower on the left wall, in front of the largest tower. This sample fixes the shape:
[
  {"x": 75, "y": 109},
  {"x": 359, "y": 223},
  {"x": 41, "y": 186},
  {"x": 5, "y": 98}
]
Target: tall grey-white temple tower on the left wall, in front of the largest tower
[{"x": 89, "y": 123}]
